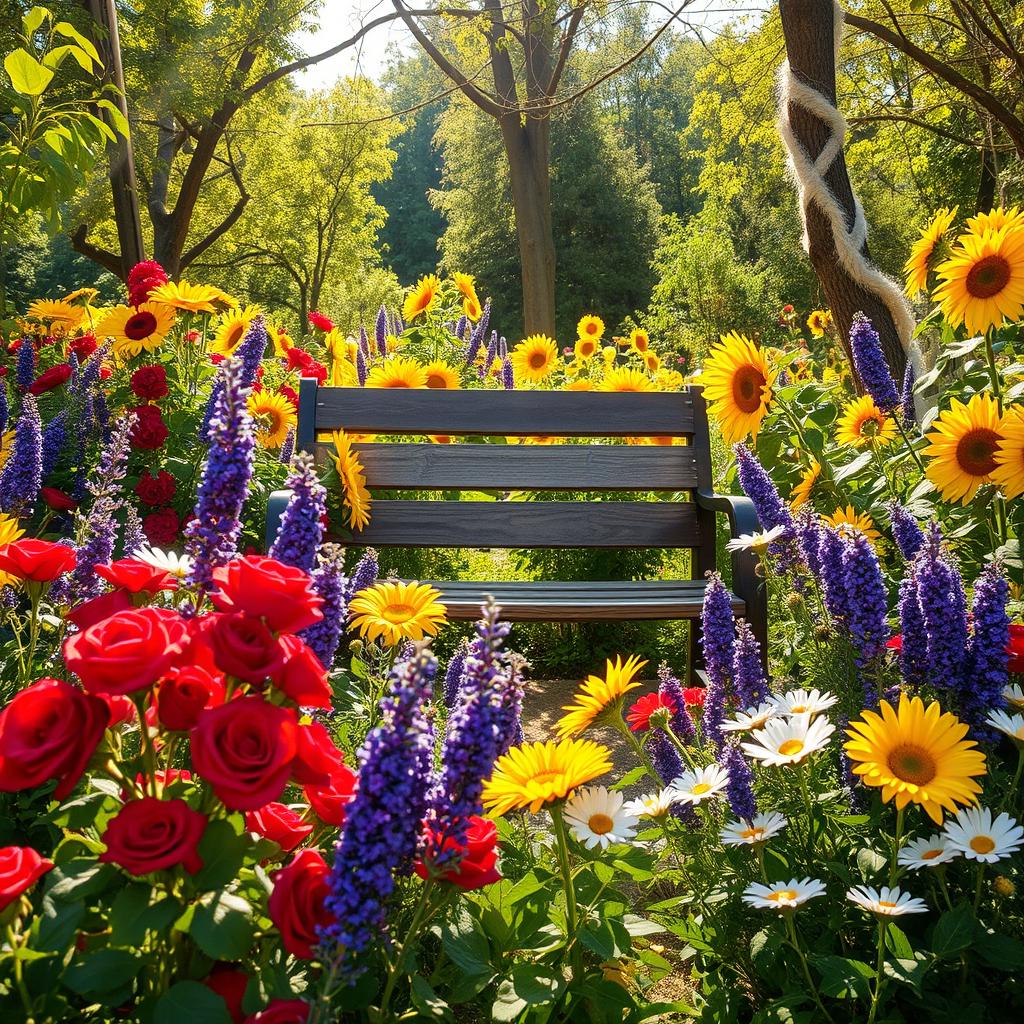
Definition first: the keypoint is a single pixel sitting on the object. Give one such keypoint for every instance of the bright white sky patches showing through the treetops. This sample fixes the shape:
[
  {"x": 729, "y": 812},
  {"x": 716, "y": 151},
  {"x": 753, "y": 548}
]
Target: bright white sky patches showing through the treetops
[{"x": 339, "y": 20}]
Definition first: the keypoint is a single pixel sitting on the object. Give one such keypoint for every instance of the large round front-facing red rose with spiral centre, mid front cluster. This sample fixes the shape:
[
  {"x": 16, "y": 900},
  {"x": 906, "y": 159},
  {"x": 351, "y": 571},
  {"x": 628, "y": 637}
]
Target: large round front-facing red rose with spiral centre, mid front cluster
[{"x": 245, "y": 749}]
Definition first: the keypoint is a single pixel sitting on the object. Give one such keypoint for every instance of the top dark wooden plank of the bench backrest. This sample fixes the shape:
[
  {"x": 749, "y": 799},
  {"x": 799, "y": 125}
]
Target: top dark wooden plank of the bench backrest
[{"x": 575, "y": 414}]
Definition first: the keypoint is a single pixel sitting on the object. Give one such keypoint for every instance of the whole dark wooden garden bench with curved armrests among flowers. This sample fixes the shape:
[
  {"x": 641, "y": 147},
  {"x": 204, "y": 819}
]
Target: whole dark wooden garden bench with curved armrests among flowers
[{"x": 425, "y": 466}]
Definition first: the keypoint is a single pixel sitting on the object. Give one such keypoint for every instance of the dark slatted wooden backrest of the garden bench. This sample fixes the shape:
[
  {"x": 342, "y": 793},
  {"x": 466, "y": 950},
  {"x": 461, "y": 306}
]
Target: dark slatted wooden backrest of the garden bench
[{"x": 429, "y": 466}]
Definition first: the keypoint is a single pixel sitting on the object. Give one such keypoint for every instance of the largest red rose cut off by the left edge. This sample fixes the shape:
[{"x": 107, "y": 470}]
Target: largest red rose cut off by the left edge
[{"x": 50, "y": 731}]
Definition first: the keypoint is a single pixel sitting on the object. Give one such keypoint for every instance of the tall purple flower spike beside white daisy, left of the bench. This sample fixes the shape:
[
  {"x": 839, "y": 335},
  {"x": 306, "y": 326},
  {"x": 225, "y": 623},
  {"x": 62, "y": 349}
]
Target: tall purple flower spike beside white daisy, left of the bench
[{"x": 212, "y": 538}]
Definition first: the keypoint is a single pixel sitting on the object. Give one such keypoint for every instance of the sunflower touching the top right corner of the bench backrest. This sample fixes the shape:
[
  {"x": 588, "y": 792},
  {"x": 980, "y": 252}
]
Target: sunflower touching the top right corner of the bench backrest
[{"x": 738, "y": 380}]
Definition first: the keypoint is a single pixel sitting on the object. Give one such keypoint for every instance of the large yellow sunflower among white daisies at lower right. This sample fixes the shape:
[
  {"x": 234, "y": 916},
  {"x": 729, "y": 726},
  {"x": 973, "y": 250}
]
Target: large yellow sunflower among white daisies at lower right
[{"x": 917, "y": 755}]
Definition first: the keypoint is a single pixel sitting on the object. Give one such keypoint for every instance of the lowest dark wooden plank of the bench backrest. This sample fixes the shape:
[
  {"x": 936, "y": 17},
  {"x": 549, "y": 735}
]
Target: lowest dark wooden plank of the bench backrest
[{"x": 531, "y": 525}]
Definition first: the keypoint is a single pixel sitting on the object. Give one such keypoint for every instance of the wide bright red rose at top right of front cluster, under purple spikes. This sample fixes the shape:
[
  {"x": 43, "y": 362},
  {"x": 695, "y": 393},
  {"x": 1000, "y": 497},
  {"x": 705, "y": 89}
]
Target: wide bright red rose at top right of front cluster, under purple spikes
[{"x": 268, "y": 589}]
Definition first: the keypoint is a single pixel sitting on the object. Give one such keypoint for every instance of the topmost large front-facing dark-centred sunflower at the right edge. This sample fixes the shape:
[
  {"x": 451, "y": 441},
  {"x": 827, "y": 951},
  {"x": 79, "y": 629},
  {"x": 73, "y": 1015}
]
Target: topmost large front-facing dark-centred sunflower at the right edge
[{"x": 983, "y": 283}]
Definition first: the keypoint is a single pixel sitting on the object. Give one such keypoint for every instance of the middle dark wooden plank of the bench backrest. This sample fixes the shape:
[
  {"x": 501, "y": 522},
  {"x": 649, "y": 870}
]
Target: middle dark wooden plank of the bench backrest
[{"x": 529, "y": 467}]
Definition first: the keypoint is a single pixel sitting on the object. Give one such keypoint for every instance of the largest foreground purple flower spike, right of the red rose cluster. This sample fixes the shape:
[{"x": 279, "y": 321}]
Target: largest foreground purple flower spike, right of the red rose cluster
[{"x": 385, "y": 820}]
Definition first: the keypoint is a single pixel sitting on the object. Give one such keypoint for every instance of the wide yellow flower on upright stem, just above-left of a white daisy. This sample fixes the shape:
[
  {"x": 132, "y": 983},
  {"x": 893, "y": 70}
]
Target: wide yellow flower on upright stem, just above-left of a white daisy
[{"x": 534, "y": 775}]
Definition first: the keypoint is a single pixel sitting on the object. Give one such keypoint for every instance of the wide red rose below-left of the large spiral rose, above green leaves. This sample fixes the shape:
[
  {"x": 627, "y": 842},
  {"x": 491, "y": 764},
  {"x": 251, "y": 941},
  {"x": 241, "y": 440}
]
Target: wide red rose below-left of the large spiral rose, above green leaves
[{"x": 152, "y": 835}]
